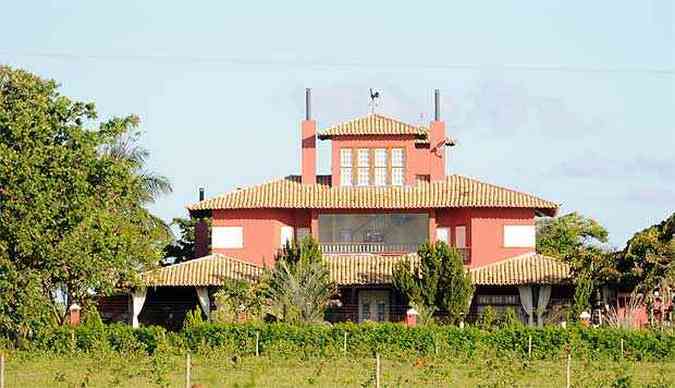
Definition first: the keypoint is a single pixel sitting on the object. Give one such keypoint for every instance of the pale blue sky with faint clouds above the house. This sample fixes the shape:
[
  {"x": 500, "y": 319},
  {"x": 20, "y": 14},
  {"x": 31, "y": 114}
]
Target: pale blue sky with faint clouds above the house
[{"x": 573, "y": 101}]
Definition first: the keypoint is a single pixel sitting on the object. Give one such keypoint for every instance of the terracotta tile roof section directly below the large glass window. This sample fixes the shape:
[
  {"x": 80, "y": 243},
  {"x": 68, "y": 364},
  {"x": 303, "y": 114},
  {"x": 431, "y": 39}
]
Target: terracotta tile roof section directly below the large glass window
[{"x": 365, "y": 269}]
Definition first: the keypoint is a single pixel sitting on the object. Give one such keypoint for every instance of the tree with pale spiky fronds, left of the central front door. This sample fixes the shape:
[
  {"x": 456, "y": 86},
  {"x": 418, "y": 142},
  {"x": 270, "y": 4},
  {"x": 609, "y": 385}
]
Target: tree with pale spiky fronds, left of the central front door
[{"x": 299, "y": 286}]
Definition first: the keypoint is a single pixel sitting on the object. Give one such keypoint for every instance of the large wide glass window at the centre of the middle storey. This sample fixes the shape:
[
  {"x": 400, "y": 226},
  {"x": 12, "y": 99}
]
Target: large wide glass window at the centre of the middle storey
[{"x": 404, "y": 229}]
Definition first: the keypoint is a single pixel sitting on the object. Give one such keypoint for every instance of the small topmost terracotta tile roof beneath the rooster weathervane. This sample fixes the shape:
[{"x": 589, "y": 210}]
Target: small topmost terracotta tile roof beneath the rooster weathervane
[{"x": 373, "y": 124}]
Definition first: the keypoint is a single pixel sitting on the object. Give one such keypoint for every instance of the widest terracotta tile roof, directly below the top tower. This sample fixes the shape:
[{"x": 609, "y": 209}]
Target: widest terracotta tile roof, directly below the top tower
[{"x": 455, "y": 191}]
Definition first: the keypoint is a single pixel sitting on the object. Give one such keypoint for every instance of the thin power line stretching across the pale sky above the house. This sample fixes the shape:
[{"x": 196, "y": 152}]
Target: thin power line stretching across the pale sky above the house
[{"x": 234, "y": 61}]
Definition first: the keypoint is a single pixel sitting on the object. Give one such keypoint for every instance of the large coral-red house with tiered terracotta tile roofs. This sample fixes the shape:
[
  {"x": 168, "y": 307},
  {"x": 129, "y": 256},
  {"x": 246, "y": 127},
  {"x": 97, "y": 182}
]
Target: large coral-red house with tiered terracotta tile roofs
[{"x": 387, "y": 192}]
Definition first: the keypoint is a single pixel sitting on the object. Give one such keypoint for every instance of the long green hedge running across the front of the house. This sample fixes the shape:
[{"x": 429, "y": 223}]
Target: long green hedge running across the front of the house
[{"x": 363, "y": 340}]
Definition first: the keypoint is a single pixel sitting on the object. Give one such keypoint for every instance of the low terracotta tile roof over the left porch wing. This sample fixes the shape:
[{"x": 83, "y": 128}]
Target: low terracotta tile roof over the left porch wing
[{"x": 205, "y": 271}]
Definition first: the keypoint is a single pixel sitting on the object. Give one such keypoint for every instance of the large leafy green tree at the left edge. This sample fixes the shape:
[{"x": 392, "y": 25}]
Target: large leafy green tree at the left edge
[{"x": 72, "y": 219}]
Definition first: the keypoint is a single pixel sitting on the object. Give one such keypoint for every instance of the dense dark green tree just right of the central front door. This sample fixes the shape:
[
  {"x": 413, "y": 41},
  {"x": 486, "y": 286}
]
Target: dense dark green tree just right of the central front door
[{"x": 440, "y": 283}]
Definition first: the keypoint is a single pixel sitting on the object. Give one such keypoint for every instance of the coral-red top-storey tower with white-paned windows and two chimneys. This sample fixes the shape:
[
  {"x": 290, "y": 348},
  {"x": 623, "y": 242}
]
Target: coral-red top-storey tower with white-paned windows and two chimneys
[{"x": 376, "y": 150}]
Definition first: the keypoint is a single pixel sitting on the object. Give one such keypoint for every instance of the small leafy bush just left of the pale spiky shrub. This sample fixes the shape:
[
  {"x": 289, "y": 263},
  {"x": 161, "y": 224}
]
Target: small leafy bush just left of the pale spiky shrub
[{"x": 238, "y": 296}]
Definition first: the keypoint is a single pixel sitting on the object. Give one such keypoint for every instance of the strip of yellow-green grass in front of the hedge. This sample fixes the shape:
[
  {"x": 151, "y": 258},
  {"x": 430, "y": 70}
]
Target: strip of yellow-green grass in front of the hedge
[{"x": 216, "y": 369}]
